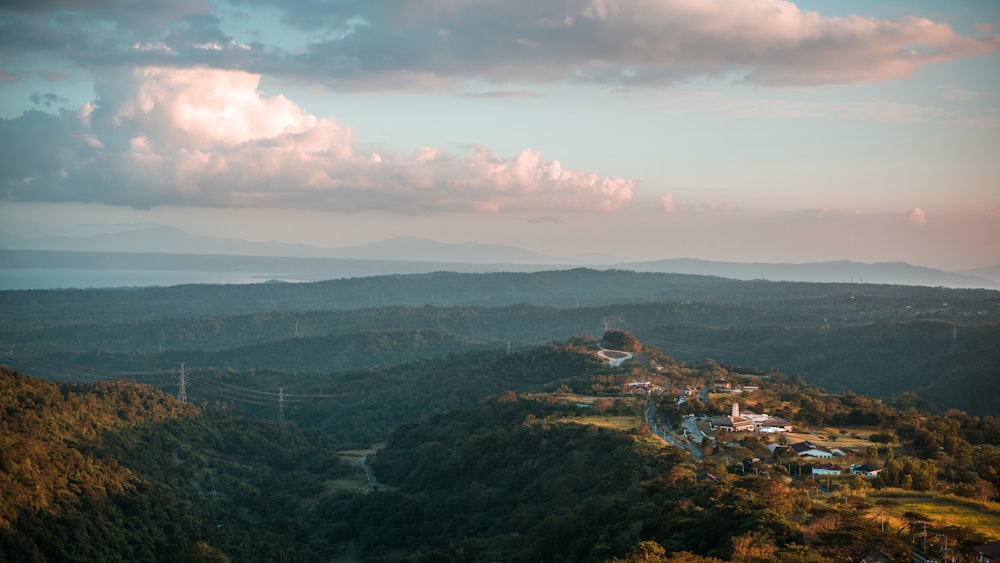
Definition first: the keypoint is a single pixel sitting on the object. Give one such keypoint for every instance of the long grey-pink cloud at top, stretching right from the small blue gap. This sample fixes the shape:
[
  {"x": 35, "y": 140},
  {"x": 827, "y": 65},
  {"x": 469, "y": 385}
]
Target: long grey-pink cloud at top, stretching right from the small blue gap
[{"x": 770, "y": 42}]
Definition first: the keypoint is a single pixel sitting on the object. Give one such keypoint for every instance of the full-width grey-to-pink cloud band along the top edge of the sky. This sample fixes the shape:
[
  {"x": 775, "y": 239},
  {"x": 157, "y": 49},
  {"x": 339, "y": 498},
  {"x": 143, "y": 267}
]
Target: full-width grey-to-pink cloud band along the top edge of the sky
[{"x": 400, "y": 44}]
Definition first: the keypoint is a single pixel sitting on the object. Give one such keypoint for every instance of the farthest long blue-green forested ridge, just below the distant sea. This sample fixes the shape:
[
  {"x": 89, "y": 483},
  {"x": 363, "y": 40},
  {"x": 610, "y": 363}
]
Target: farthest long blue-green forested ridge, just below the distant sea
[{"x": 568, "y": 288}]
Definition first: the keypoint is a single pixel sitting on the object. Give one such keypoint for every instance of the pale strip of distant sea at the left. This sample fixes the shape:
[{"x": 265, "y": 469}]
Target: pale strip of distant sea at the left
[{"x": 53, "y": 278}]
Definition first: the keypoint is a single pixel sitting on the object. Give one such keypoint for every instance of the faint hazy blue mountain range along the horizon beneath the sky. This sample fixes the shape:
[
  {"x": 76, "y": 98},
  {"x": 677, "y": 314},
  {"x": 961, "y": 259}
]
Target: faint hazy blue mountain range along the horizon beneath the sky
[{"x": 417, "y": 255}]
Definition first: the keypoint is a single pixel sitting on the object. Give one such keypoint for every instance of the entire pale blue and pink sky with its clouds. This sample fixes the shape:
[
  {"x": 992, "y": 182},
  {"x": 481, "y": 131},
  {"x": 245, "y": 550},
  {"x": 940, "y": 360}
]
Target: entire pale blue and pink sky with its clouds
[{"x": 749, "y": 131}]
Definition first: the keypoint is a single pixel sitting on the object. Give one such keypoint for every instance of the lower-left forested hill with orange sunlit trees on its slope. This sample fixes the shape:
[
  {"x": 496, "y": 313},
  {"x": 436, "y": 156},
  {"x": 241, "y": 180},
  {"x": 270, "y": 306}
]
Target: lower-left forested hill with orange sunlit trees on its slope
[{"x": 117, "y": 471}]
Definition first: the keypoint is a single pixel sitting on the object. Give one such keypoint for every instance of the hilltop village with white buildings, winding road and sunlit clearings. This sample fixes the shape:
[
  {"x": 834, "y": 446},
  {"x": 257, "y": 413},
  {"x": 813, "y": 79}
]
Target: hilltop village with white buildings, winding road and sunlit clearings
[{"x": 901, "y": 468}]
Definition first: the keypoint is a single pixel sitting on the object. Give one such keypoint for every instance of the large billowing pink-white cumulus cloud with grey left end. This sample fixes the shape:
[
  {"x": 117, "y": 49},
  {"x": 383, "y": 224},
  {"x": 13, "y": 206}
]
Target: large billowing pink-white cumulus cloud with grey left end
[{"x": 208, "y": 137}]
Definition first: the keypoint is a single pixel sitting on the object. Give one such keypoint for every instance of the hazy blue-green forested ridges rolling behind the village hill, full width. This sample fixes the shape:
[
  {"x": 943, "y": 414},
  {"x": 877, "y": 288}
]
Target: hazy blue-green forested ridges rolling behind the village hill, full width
[{"x": 866, "y": 338}]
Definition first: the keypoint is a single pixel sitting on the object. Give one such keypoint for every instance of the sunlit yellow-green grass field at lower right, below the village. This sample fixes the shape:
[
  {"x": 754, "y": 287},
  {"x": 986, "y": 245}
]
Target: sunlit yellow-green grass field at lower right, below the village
[{"x": 943, "y": 510}]
